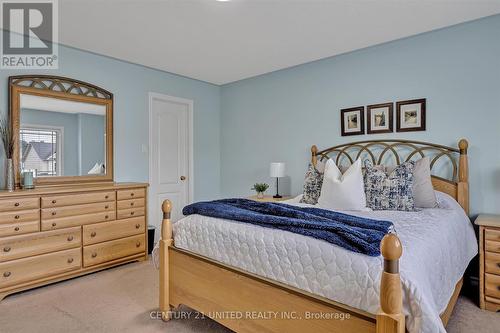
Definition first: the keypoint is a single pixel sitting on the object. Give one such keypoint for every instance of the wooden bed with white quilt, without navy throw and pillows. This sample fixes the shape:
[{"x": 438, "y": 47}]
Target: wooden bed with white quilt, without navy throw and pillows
[{"x": 254, "y": 279}]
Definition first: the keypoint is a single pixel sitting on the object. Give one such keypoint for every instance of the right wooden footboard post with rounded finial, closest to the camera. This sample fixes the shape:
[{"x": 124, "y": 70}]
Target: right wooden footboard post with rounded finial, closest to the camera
[{"x": 390, "y": 318}]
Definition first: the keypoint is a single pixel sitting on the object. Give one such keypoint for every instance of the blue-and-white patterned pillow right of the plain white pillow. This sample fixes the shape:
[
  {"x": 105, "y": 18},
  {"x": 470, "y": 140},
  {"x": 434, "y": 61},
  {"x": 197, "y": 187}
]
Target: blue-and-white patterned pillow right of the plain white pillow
[{"x": 390, "y": 192}]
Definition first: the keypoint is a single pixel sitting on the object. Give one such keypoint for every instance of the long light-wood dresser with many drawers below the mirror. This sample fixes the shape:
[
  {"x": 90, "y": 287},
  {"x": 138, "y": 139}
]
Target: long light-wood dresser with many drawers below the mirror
[{"x": 55, "y": 233}]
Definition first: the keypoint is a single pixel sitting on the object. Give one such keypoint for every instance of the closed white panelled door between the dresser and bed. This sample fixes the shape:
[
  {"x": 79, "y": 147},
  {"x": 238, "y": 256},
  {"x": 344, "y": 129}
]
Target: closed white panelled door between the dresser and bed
[{"x": 170, "y": 159}]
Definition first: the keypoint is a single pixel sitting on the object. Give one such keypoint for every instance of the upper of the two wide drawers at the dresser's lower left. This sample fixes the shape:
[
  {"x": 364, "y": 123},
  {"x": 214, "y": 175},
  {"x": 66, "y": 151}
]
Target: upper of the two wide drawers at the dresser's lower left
[{"x": 16, "y": 247}]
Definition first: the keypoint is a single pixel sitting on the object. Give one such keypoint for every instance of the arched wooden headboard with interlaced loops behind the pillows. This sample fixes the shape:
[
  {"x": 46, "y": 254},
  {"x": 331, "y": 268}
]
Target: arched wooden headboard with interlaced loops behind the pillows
[{"x": 378, "y": 151}]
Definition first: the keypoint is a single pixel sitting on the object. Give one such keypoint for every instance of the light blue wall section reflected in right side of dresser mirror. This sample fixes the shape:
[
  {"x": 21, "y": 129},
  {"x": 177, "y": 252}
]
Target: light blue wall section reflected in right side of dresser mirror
[{"x": 91, "y": 143}]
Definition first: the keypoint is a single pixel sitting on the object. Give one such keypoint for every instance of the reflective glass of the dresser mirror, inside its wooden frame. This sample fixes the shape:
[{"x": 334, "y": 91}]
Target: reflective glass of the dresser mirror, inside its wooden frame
[{"x": 61, "y": 137}]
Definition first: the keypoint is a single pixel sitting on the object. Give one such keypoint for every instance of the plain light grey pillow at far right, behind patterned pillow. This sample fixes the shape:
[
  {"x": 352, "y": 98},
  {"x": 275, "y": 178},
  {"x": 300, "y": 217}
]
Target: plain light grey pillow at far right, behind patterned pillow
[{"x": 423, "y": 191}]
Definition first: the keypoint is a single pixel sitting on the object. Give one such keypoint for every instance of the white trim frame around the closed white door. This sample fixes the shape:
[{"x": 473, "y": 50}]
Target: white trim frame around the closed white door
[{"x": 190, "y": 104}]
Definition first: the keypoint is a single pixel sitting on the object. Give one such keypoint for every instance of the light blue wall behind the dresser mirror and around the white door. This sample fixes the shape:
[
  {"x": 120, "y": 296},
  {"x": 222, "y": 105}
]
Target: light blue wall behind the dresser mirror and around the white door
[{"x": 130, "y": 85}]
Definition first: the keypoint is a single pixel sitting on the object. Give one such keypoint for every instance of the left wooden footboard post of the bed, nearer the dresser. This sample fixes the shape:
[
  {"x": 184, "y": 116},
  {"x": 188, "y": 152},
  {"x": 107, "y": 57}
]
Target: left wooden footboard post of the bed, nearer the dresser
[{"x": 165, "y": 241}]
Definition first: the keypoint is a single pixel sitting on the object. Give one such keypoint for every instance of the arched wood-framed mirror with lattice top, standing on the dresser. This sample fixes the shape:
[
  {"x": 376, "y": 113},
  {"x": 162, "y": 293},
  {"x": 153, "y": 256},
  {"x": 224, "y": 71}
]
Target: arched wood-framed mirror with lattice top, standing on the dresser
[{"x": 63, "y": 135}]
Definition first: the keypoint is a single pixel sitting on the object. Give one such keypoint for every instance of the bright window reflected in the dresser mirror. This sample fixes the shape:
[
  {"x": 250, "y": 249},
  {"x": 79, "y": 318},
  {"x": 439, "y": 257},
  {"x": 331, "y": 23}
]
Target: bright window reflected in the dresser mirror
[{"x": 41, "y": 150}]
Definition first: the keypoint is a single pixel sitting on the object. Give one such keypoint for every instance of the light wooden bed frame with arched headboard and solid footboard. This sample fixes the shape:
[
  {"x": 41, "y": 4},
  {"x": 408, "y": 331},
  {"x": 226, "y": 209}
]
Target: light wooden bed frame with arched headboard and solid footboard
[{"x": 245, "y": 302}]
